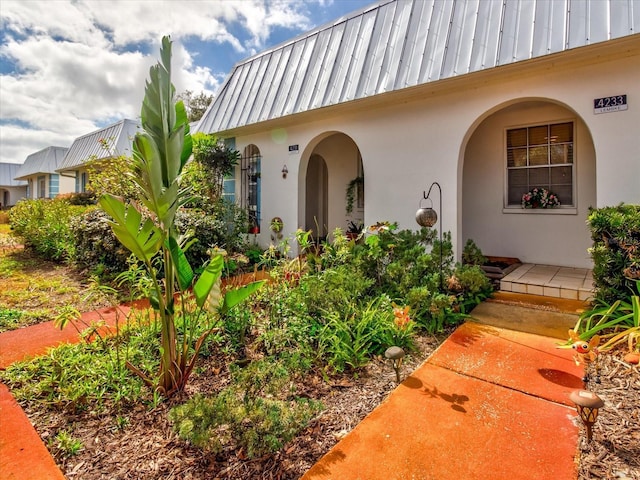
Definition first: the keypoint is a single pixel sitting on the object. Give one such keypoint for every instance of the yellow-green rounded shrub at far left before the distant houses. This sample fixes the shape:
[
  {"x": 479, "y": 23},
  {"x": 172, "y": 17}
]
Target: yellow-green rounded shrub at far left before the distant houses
[{"x": 44, "y": 226}]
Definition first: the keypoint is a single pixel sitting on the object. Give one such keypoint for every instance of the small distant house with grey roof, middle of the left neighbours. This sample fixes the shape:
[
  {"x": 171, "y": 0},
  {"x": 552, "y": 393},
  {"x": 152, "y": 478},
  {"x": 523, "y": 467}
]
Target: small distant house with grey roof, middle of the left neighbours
[{"x": 39, "y": 171}]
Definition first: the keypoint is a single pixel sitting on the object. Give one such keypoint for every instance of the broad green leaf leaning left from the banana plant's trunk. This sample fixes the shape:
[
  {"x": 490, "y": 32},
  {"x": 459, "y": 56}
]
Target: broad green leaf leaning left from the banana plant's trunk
[{"x": 139, "y": 235}]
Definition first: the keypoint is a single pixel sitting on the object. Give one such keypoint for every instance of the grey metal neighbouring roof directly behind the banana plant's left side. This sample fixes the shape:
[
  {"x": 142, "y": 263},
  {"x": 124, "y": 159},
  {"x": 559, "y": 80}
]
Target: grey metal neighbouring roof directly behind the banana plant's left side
[{"x": 114, "y": 140}]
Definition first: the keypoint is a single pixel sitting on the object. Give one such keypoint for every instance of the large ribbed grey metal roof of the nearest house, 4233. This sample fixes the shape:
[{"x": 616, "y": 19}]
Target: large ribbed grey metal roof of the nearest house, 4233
[{"x": 395, "y": 44}]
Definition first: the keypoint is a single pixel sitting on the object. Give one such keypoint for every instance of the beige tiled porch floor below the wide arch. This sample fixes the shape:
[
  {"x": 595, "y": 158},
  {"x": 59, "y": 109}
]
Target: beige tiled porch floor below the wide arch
[{"x": 550, "y": 281}]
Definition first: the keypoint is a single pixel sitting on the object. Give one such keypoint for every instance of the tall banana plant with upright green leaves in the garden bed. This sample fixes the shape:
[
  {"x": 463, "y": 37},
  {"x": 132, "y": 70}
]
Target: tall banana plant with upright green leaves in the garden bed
[{"x": 148, "y": 230}]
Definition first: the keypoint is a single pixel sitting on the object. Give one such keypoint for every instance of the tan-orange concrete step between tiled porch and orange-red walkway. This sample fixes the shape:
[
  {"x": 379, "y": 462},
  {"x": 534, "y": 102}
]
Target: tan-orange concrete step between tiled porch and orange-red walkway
[{"x": 547, "y": 316}]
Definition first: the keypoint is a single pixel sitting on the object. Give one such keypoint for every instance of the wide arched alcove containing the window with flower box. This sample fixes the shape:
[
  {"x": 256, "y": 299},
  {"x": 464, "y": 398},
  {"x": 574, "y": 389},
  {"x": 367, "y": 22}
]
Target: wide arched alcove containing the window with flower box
[{"x": 521, "y": 146}]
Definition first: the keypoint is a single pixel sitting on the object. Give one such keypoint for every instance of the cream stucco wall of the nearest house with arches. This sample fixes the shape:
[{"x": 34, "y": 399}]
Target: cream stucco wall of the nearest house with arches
[{"x": 409, "y": 142}]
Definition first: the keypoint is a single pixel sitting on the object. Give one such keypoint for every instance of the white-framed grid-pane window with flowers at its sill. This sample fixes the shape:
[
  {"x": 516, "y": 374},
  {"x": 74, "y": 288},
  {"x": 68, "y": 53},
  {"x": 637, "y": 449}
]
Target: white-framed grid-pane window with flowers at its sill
[{"x": 540, "y": 156}]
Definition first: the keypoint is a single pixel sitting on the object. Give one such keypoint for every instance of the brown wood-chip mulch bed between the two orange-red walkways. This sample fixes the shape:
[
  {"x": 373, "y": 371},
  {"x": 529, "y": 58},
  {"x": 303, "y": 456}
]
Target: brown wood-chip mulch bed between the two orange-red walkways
[{"x": 147, "y": 447}]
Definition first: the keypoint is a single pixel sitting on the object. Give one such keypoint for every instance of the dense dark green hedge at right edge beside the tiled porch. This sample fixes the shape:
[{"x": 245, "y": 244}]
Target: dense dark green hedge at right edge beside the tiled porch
[{"x": 615, "y": 232}]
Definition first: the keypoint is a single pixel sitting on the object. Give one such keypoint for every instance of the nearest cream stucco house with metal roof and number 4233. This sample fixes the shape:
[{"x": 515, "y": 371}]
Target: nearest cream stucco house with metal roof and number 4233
[{"x": 488, "y": 98}]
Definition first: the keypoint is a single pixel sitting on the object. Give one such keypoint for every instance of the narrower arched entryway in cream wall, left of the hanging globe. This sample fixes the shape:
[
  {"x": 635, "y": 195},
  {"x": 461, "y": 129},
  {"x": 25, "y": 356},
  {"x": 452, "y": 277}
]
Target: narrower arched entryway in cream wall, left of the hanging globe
[{"x": 333, "y": 162}]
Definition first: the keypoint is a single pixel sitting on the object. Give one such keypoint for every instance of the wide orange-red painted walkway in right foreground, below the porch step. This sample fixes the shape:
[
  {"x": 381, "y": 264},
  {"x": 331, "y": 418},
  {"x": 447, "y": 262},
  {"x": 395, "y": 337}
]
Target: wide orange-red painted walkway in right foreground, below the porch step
[{"x": 490, "y": 403}]
